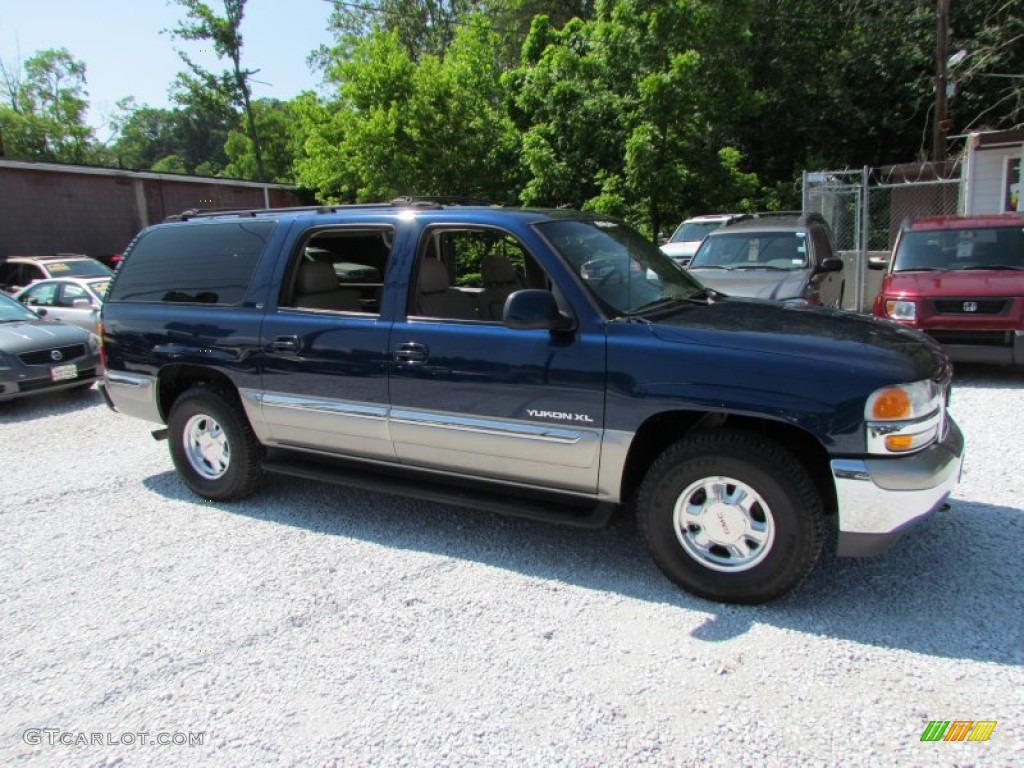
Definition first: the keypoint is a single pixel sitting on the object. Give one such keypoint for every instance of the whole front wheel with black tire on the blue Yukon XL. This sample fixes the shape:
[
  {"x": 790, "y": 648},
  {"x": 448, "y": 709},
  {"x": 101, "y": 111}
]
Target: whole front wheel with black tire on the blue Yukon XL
[{"x": 775, "y": 543}]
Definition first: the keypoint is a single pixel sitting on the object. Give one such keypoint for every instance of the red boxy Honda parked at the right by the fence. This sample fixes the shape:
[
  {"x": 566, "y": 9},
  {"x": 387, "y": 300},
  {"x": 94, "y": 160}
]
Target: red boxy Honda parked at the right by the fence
[{"x": 961, "y": 280}]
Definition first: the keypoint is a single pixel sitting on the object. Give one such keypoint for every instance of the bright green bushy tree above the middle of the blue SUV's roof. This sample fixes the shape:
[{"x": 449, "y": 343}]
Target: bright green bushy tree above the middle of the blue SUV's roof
[{"x": 403, "y": 127}]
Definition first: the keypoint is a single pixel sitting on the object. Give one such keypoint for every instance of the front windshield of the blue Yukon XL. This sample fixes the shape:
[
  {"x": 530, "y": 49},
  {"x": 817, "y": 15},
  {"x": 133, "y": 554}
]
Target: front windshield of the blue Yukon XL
[{"x": 625, "y": 272}]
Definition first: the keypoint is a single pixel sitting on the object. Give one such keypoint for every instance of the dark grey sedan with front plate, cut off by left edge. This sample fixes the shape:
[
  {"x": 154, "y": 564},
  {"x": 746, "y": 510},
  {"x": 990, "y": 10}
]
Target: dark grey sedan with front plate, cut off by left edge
[{"x": 38, "y": 356}]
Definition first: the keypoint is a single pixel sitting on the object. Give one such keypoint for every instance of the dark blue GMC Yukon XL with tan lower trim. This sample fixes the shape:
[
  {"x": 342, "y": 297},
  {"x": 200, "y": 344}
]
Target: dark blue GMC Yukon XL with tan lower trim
[{"x": 551, "y": 365}]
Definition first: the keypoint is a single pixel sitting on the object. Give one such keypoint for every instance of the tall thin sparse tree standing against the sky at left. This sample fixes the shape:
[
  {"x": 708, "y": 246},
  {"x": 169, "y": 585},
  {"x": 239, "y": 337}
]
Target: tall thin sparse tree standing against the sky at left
[{"x": 219, "y": 92}]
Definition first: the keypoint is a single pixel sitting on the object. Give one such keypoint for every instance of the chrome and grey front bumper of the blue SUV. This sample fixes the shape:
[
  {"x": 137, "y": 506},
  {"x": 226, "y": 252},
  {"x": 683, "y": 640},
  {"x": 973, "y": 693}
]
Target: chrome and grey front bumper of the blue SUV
[{"x": 880, "y": 499}]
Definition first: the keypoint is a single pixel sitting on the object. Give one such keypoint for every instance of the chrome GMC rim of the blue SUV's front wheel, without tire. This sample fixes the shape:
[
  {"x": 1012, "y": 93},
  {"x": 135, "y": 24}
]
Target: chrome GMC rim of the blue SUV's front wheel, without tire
[{"x": 724, "y": 525}]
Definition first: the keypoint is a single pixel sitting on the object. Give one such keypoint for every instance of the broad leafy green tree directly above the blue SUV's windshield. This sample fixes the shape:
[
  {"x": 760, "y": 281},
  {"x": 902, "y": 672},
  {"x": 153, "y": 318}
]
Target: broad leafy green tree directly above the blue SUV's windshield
[{"x": 626, "y": 113}]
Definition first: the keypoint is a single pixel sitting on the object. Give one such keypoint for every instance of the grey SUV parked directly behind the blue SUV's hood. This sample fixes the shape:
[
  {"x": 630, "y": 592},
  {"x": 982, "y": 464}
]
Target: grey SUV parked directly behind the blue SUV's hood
[{"x": 789, "y": 259}]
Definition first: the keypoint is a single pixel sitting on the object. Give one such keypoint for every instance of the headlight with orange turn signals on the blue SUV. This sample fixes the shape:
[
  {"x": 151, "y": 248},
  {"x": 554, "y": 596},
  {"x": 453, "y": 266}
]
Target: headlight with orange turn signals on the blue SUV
[{"x": 904, "y": 418}]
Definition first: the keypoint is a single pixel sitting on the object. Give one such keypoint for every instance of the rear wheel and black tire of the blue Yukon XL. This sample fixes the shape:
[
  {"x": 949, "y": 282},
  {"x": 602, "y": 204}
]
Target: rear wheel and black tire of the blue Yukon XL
[{"x": 231, "y": 466}]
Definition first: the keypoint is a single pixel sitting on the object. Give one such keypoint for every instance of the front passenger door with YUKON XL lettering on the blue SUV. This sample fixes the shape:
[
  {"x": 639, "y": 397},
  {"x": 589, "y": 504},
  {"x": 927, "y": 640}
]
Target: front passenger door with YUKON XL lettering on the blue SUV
[{"x": 474, "y": 398}]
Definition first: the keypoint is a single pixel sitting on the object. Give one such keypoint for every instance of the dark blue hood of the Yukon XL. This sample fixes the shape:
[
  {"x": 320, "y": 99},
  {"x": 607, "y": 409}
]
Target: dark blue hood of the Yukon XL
[{"x": 862, "y": 346}]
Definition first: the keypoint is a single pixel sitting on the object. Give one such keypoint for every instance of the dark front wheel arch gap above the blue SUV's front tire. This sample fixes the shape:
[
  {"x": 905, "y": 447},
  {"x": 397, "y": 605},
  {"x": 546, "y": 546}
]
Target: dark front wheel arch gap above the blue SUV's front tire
[{"x": 665, "y": 430}]
